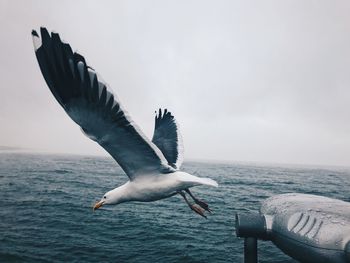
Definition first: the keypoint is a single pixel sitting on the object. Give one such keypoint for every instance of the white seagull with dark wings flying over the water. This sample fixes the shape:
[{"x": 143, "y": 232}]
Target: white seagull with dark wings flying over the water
[{"x": 153, "y": 167}]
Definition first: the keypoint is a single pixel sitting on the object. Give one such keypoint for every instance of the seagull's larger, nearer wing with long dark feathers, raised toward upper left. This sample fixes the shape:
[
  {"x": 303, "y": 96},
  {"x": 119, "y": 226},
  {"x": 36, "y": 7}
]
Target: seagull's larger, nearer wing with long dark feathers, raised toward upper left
[{"x": 89, "y": 102}]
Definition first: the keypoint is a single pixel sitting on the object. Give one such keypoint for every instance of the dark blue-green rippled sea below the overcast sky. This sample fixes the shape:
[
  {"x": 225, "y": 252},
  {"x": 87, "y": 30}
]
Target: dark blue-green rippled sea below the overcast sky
[{"x": 46, "y": 210}]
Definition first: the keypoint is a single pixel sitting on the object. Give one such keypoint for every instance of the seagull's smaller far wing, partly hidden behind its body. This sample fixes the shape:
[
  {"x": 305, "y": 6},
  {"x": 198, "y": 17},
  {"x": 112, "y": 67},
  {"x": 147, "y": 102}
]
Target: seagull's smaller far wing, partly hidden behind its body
[{"x": 168, "y": 138}]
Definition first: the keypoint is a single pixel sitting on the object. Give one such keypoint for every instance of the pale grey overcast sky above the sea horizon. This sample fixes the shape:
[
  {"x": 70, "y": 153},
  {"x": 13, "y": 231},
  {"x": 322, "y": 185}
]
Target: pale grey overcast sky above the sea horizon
[{"x": 262, "y": 81}]
